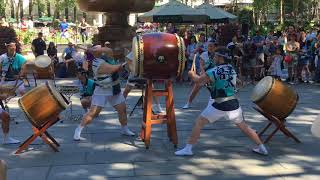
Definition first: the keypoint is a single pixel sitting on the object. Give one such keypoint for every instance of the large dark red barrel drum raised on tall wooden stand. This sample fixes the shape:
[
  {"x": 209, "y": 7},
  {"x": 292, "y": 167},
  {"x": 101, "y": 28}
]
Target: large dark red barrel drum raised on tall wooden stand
[{"x": 158, "y": 56}]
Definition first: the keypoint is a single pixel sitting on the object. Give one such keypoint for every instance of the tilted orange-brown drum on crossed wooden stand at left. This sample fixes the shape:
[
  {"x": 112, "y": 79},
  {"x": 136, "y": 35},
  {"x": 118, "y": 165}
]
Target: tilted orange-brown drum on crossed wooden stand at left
[{"x": 42, "y": 104}]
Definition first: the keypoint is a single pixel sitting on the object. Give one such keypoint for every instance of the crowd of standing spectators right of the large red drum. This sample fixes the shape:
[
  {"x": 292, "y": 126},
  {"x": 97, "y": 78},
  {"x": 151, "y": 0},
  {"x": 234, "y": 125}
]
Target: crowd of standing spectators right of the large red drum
[{"x": 291, "y": 55}]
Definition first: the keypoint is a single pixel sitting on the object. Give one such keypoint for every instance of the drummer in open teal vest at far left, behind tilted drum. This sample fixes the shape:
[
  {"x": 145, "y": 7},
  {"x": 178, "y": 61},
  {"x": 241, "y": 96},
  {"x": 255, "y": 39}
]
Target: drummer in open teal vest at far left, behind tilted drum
[{"x": 13, "y": 68}]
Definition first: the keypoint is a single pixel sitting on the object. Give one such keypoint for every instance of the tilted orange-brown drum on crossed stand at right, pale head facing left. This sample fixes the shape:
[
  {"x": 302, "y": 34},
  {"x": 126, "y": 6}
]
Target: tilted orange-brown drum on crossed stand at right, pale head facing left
[{"x": 274, "y": 97}]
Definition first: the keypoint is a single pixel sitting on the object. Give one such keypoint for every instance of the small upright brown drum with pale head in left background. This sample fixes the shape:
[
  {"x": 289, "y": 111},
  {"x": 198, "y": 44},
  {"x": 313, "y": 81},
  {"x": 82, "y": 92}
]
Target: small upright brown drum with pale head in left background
[{"x": 43, "y": 67}]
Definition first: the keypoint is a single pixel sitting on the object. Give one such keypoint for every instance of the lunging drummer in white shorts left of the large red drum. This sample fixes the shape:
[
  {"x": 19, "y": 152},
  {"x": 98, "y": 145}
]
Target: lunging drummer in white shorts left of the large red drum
[{"x": 107, "y": 90}]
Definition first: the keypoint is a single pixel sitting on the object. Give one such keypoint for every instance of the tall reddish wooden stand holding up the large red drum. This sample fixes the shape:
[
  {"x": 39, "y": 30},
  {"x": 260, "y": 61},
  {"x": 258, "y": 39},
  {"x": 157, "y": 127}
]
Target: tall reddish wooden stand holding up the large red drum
[{"x": 149, "y": 119}]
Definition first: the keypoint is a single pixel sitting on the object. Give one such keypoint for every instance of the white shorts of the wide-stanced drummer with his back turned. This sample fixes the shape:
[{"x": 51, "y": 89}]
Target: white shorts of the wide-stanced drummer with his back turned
[{"x": 213, "y": 114}]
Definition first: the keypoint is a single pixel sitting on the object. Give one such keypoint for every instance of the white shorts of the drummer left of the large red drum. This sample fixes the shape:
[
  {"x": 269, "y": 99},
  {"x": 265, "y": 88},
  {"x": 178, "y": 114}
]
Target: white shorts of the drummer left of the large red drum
[{"x": 102, "y": 100}]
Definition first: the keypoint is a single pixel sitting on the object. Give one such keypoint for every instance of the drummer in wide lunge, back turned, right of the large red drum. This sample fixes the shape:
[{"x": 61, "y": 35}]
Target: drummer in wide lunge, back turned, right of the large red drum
[{"x": 223, "y": 82}]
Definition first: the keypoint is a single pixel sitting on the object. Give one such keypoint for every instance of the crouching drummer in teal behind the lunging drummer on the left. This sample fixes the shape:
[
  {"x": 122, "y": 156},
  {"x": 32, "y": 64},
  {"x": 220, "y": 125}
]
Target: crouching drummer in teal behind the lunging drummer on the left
[{"x": 86, "y": 89}]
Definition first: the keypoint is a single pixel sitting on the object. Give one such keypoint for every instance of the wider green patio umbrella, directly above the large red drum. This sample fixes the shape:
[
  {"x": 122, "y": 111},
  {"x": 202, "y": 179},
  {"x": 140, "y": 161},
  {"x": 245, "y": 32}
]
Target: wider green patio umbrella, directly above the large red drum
[{"x": 175, "y": 12}]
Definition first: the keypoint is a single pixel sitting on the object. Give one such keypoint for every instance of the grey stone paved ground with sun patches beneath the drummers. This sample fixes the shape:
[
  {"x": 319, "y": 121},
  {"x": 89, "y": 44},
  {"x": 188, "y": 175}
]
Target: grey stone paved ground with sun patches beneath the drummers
[{"x": 223, "y": 151}]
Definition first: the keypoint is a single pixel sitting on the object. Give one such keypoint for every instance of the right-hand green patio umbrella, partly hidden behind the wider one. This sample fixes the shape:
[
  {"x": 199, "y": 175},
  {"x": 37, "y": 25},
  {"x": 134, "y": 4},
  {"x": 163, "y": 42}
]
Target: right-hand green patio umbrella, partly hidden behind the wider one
[{"x": 216, "y": 14}]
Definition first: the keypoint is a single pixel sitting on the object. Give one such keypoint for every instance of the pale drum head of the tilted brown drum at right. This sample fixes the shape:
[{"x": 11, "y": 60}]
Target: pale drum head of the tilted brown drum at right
[{"x": 262, "y": 89}]
